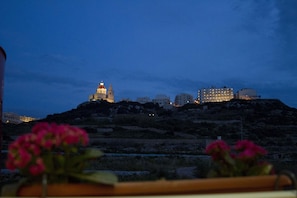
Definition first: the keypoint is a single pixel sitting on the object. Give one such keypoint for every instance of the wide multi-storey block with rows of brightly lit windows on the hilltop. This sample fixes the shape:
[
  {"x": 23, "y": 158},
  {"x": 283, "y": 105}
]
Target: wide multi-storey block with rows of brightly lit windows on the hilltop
[{"x": 215, "y": 94}]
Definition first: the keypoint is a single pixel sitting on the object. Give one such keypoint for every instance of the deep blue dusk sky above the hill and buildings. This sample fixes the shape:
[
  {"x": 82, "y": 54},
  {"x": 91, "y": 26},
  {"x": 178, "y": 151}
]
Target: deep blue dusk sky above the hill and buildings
[{"x": 59, "y": 50}]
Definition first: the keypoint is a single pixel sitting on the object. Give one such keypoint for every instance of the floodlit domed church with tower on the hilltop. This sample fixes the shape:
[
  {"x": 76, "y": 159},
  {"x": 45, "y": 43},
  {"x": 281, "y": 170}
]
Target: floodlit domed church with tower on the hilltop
[{"x": 103, "y": 94}]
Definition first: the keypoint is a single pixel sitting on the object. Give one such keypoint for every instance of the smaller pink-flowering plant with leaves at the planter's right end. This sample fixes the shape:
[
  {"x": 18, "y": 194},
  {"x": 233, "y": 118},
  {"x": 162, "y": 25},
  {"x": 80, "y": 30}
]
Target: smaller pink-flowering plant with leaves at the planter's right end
[{"x": 242, "y": 159}]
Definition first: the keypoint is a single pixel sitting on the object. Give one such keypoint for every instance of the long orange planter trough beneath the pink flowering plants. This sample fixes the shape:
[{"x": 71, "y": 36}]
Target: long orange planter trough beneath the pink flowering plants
[{"x": 163, "y": 187}]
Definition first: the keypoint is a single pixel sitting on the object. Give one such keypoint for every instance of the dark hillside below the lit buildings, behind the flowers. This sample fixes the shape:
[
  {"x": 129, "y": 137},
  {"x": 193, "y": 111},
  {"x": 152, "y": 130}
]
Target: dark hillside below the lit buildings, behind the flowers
[{"x": 131, "y": 127}]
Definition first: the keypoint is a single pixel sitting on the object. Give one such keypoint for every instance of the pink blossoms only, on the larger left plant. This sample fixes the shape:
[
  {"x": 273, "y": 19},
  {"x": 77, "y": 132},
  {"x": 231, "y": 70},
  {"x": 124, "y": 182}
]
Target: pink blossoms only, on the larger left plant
[{"x": 28, "y": 153}]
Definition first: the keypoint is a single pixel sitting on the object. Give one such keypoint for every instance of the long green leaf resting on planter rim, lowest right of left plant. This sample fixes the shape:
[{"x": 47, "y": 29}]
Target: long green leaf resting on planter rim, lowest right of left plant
[{"x": 96, "y": 177}]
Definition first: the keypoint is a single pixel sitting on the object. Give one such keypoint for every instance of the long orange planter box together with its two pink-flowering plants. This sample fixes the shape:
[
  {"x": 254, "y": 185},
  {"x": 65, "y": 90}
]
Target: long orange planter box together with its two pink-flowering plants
[{"x": 56, "y": 155}]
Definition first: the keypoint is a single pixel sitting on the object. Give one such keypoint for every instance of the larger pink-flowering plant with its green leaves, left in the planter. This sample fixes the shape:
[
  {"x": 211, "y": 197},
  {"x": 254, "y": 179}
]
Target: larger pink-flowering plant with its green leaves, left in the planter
[{"x": 54, "y": 154}]
